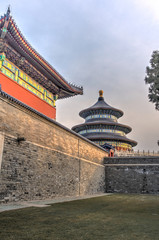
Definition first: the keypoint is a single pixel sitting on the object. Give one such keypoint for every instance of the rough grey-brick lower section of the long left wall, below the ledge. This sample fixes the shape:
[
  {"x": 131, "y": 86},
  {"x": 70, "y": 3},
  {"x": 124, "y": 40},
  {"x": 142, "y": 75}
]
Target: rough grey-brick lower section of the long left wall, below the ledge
[{"x": 30, "y": 172}]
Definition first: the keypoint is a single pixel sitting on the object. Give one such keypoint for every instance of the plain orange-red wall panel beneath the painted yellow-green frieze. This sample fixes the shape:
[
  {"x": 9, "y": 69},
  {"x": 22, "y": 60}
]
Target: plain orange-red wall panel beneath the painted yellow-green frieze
[{"x": 25, "y": 96}]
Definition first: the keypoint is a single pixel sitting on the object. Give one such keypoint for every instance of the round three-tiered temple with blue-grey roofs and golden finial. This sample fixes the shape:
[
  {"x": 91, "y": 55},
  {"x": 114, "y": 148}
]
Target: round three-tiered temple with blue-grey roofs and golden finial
[{"x": 101, "y": 126}]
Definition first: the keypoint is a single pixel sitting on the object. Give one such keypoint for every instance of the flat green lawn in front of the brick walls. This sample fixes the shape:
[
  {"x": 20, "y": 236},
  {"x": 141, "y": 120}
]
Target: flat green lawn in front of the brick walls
[{"x": 114, "y": 216}]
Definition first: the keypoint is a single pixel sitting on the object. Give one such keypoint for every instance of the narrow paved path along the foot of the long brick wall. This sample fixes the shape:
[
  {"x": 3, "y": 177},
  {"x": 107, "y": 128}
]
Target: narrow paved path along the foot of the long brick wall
[{"x": 44, "y": 203}]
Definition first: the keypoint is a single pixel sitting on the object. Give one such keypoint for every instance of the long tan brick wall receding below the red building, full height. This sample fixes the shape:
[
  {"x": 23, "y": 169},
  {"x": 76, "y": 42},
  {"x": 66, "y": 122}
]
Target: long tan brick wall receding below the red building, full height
[{"x": 50, "y": 160}]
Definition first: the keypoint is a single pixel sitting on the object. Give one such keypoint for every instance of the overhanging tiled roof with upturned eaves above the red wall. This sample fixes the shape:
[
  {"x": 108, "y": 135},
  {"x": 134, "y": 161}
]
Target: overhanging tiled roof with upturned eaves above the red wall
[{"x": 19, "y": 50}]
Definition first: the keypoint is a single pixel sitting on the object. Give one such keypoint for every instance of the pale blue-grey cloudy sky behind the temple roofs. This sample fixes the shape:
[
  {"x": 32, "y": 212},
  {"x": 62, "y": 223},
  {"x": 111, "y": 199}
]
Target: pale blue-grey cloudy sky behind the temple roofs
[{"x": 98, "y": 44}]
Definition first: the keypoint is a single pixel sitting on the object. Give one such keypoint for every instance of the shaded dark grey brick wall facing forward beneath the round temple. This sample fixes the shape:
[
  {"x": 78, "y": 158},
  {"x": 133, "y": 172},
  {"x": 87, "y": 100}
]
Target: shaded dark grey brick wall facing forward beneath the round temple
[{"x": 132, "y": 175}]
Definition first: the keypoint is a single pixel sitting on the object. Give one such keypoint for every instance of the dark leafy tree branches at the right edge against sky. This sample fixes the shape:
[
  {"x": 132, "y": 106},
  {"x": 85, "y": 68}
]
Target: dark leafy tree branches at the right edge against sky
[{"x": 152, "y": 78}]
